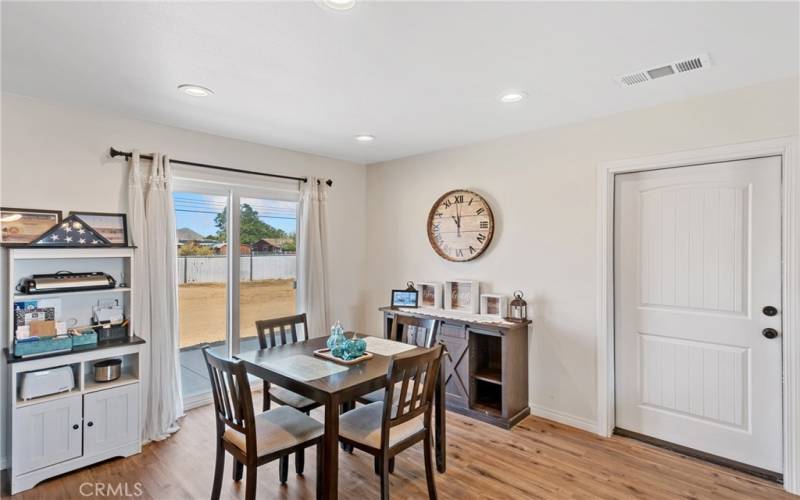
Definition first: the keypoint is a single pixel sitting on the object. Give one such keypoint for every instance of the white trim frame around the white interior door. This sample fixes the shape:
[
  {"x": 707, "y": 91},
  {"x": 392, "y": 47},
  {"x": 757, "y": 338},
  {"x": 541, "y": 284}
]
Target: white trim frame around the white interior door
[{"x": 787, "y": 148}]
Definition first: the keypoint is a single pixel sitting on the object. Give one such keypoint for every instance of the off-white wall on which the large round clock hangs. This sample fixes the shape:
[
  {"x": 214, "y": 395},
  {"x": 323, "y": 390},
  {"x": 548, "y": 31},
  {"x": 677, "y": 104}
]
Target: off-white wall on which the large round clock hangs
[{"x": 541, "y": 187}]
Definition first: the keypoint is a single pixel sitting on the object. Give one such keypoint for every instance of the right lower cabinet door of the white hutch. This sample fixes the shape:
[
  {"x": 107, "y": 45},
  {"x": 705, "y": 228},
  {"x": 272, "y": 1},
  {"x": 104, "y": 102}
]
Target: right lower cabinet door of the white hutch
[{"x": 111, "y": 418}]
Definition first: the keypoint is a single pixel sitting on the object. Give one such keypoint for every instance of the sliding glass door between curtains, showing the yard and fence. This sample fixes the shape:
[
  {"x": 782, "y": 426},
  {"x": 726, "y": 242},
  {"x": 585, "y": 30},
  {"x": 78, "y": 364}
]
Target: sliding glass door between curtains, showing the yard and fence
[{"x": 232, "y": 270}]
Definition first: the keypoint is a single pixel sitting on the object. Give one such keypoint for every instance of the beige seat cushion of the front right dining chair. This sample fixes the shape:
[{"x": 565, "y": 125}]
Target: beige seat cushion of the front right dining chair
[{"x": 363, "y": 425}]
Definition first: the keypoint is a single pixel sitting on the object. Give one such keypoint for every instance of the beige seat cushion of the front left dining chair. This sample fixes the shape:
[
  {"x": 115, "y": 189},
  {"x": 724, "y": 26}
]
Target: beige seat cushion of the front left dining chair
[{"x": 277, "y": 430}]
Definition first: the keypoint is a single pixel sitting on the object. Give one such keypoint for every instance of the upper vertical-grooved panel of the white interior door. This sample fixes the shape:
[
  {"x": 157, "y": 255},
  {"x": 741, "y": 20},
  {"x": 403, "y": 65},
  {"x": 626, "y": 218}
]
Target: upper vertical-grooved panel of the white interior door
[{"x": 694, "y": 247}]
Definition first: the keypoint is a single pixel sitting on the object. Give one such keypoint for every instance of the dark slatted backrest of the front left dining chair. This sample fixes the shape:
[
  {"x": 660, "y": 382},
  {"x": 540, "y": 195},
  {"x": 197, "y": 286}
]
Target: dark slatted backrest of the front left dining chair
[{"x": 232, "y": 400}]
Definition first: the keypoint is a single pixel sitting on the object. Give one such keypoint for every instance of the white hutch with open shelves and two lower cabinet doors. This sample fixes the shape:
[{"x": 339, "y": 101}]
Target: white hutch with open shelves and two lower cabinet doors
[{"x": 85, "y": 433}]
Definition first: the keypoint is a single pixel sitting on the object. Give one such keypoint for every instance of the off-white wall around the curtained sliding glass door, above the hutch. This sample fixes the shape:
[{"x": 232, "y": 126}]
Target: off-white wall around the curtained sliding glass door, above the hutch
[{"x": 56, "y": 157}]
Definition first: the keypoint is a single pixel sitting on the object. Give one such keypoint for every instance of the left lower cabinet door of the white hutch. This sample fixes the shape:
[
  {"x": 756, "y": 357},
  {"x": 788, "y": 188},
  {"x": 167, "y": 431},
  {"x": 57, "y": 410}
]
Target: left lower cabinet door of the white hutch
[{"x": 46, "y": 434}]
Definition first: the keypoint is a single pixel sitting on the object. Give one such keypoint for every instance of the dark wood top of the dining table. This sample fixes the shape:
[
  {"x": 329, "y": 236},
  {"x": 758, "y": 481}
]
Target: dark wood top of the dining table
[{"x": 357, "y": 380}]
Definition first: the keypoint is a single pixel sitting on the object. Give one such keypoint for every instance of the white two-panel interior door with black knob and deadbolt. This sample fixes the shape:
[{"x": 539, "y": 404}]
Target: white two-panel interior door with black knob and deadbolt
[{"x": 697, "y": 258}]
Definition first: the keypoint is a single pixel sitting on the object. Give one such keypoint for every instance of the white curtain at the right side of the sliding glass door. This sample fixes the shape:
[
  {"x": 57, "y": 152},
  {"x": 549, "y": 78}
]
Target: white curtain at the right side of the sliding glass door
[{"x": 312, "y": 252}]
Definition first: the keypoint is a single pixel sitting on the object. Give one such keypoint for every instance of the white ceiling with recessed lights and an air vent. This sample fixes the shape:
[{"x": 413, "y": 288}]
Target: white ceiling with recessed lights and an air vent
[{"x": 418, "y": 76}]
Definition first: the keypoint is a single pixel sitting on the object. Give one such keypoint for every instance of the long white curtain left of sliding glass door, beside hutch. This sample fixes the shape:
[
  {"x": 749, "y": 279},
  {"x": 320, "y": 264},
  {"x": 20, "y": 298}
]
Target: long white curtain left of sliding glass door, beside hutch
[{"x": 155, "y": 298}]
